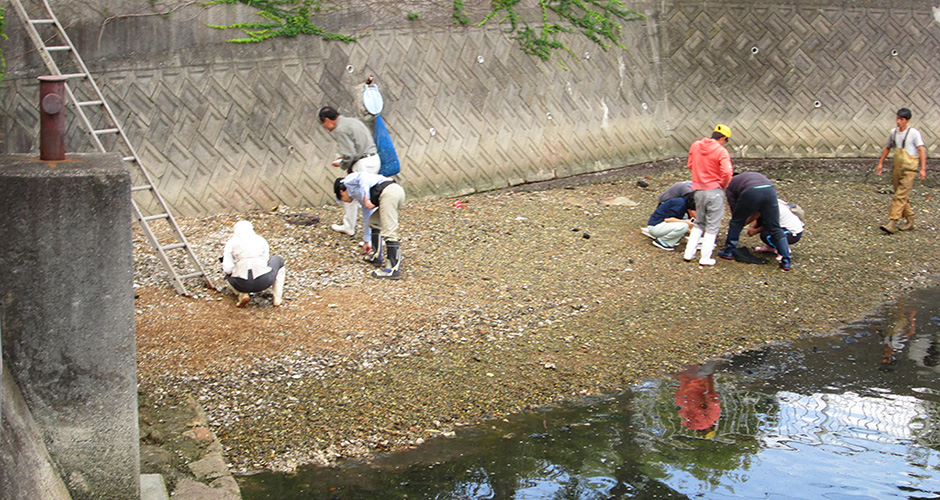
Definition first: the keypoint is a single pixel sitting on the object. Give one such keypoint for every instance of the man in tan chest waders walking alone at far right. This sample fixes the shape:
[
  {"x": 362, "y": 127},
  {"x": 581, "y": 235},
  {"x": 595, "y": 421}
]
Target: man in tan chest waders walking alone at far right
[{"x": 908, "y": 147}]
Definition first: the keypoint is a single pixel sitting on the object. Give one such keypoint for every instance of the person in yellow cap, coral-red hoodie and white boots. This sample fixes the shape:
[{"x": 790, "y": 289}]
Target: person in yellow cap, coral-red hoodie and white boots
[{"x": 711, "y": 171}]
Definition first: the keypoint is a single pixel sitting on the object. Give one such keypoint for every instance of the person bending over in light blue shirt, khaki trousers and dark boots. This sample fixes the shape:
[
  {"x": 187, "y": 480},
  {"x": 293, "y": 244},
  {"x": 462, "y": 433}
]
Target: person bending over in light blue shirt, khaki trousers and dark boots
[{"x": 385, "y": 197}]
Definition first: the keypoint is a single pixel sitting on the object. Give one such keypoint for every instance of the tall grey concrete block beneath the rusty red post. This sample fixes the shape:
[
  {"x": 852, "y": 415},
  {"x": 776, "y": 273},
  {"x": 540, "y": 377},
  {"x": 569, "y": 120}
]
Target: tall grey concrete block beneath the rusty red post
[{"x": 67, "y": 312}]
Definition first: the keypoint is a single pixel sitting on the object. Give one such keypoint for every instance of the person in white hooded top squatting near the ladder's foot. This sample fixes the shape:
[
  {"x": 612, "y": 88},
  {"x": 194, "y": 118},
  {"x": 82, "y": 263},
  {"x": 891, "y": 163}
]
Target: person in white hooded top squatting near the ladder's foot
[{"x": 248, "y": 267}]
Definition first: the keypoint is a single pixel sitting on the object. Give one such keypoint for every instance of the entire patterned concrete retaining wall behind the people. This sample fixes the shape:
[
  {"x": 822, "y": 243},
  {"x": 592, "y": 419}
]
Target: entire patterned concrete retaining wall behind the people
[{"x": 230, "y": 127}]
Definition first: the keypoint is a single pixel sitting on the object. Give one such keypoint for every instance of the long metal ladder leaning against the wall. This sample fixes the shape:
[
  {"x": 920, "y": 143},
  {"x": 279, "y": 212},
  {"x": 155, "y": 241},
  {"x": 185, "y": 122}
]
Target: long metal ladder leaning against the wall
[{"x": 61, "y": 58}]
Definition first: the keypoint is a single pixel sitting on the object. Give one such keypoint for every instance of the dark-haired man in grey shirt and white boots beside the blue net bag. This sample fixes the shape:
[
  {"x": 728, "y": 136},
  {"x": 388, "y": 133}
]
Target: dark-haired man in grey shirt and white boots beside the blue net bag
[{"x": 357, "y": 154}]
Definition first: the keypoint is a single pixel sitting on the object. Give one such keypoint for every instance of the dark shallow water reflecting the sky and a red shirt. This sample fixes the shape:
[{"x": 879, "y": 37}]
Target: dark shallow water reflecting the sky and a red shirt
[{"x": 854, "y": 416}]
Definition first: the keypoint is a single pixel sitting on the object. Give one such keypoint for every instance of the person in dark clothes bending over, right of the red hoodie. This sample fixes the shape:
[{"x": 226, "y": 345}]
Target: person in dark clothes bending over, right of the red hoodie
[{"x": 749, "y": 193}]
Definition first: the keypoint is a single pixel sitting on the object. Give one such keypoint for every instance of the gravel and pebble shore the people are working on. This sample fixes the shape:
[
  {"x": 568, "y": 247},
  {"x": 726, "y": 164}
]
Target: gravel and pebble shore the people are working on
[{"x": 519, "y": 298}]
